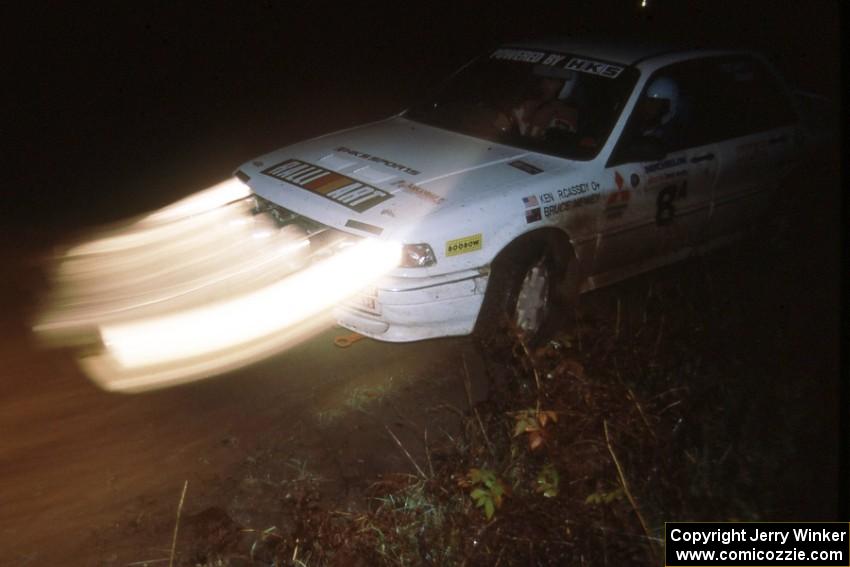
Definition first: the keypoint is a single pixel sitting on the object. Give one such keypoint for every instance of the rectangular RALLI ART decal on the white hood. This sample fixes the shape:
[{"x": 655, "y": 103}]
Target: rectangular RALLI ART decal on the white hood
[{"x": 340, "y": 189}]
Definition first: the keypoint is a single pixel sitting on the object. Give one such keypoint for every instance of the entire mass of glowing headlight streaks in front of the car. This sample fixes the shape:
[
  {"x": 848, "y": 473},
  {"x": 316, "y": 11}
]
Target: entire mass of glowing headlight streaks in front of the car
[{"x": 199, "y": 288}]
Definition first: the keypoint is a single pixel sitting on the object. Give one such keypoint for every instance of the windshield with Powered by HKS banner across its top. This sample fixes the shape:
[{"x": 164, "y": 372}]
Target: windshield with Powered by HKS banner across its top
[{"x": 548, "y": 102}]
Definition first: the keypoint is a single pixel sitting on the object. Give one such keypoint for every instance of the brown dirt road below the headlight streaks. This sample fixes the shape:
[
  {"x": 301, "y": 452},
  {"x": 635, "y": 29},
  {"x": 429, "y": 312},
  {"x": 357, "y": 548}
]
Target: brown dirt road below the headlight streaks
[{"x": 81, "y": 466}]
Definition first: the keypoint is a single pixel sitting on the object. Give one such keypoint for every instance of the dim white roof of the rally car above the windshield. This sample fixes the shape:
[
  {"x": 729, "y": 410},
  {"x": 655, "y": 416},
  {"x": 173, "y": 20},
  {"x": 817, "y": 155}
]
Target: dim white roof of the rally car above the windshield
[{"x": 623, "y": 51}]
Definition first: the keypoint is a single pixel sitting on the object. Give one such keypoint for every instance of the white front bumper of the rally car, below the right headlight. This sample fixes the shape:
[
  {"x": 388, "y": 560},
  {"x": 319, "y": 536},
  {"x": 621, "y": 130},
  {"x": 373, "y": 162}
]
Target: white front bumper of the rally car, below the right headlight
[{"x": 412, "y": 309}]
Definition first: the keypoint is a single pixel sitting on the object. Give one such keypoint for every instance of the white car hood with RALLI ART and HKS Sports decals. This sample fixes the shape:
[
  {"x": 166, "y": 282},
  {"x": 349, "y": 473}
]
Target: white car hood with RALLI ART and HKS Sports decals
[{"x": 391, "y": 177}]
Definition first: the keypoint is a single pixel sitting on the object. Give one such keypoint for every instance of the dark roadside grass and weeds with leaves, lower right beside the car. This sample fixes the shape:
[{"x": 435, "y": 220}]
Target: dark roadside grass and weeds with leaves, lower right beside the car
[{"x": 674, "y": 398}]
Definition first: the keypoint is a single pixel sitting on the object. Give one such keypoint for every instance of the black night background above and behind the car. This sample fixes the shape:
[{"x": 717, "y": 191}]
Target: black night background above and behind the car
[{"x": 122, "y": 108}]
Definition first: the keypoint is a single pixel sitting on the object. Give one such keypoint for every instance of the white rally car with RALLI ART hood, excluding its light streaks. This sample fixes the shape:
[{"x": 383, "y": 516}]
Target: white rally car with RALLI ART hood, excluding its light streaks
[{"x": 541, "y": 167}]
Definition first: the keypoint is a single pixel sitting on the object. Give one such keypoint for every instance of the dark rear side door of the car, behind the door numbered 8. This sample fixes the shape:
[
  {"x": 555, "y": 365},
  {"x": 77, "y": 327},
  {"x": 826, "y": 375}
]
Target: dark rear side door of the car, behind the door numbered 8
[{"x": 756, "y": 122}]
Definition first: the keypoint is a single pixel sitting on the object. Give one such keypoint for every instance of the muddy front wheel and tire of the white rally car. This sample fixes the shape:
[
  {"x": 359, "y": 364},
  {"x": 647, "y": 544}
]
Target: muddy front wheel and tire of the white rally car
[{"x": 520, "y": 294}]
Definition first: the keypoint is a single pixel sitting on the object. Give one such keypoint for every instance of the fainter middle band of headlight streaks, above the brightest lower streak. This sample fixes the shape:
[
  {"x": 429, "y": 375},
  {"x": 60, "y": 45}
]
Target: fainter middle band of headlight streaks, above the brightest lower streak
[{"x": 215, "y": 257}]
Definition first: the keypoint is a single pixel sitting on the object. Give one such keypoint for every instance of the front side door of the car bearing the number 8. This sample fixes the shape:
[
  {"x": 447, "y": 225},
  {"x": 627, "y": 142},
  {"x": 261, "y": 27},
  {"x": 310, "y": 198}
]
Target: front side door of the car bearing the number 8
[{"x": 659, "y": 195}]
